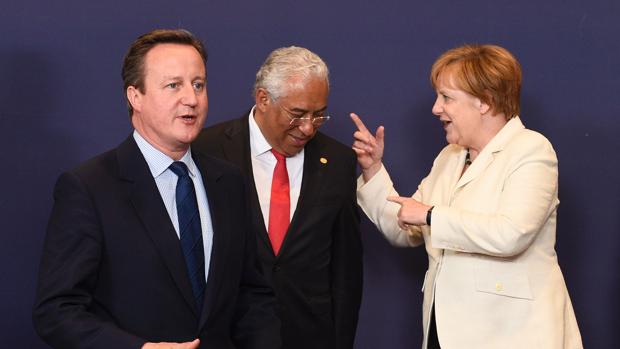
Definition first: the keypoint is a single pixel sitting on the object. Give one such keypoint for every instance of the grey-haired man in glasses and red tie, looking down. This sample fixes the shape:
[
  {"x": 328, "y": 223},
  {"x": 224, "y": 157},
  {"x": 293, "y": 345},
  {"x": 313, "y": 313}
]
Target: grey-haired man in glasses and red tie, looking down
[{"x": 303, "y": 199}]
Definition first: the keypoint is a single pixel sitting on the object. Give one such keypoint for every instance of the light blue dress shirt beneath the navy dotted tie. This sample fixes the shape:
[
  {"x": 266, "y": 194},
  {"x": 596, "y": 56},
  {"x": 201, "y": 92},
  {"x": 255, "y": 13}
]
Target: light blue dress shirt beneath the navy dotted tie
[{"x": 166, "y": 181}]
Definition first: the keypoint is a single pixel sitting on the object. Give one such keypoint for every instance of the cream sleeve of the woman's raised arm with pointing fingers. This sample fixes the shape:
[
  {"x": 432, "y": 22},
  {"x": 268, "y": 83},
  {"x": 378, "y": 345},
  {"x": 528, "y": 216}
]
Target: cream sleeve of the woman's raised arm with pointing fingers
[{"x": 372, "y": 198}]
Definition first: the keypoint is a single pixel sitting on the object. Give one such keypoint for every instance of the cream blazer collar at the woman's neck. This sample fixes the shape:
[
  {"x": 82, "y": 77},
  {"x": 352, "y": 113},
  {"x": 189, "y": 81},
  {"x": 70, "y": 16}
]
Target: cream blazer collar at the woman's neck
[{"x": 486, "y": 156}]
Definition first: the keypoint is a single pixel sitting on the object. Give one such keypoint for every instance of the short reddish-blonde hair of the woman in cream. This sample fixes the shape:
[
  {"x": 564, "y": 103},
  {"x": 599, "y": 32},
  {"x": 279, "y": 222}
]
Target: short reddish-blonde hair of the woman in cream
[{"x": 487, "y": 72}]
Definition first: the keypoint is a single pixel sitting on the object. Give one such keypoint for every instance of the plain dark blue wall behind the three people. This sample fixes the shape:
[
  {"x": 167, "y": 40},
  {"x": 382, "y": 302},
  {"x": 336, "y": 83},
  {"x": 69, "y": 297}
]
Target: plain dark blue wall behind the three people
[{"x": 61, "y": 102}]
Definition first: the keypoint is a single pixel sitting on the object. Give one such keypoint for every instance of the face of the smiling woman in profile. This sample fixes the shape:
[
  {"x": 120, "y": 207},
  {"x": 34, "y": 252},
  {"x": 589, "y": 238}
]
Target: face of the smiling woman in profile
[{"x": 459, "y": 112}]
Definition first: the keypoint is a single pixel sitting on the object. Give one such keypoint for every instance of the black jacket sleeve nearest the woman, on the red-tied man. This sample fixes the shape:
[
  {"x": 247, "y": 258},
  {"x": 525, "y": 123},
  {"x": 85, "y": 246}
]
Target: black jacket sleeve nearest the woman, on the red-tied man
[{"x": 346, "y": 266}]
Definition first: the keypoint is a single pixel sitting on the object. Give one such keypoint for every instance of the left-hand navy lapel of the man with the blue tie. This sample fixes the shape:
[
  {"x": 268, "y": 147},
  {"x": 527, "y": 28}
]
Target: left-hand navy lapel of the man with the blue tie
[{"x": 147, "y": 202}]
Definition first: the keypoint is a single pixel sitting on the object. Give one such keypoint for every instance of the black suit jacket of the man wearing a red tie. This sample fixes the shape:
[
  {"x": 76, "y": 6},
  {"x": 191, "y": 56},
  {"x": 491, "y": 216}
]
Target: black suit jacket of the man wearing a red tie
[{"x": 317, "y": 275}]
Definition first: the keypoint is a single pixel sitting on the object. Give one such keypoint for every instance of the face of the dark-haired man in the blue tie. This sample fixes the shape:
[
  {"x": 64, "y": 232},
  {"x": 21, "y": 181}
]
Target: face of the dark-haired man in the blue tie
[{"x": 173, "y": 108}]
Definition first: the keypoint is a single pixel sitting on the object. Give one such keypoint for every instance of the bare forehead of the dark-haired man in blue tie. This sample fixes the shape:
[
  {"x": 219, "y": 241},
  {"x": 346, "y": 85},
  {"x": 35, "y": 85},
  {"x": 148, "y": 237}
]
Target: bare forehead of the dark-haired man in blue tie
[{"x": 172, "y": 58}]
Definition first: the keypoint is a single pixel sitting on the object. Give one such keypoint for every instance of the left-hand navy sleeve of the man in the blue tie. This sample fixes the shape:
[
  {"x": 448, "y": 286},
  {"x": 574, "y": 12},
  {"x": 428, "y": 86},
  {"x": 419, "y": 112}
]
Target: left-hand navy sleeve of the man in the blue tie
[{"x": 68, "y": 273}]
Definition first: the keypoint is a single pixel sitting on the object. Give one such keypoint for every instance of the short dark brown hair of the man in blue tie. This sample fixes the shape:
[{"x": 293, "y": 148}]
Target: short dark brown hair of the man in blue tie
[{"x": 133, "y": 63}]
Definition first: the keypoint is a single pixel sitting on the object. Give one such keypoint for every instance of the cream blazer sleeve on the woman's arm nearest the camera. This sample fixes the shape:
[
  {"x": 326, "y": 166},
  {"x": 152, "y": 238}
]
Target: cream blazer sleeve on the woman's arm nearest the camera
[{"x": 528, "y": 198}]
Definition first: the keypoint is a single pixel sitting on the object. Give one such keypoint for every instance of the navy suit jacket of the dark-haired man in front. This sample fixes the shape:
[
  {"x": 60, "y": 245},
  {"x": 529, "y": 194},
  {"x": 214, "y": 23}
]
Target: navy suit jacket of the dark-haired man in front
[{"x": 112, "y": 273}]
